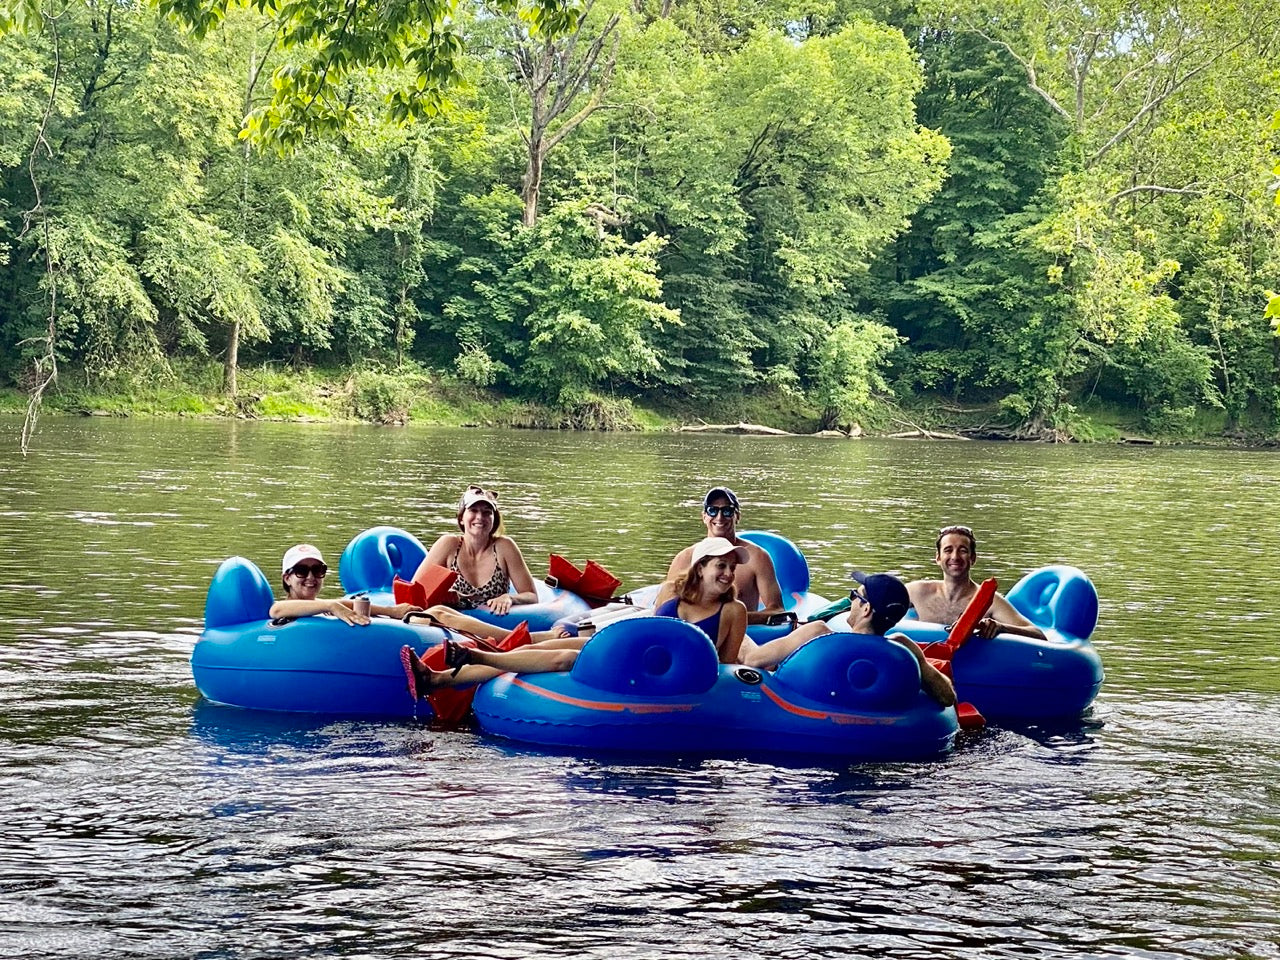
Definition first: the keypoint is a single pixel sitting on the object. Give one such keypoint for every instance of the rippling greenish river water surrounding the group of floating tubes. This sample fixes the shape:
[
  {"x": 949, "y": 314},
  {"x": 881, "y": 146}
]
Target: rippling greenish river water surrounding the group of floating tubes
[{"x": 140, "y": 822}]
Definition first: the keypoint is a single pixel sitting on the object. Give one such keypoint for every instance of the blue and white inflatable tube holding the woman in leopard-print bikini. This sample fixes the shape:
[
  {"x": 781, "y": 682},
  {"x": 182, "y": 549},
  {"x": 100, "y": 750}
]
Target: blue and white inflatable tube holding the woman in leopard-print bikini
[{"x": 376, "y": 557}]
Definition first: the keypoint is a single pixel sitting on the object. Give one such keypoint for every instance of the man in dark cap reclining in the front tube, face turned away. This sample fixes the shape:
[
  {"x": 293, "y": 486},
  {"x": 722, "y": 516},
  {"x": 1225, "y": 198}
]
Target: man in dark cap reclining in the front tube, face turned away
[{"x": 879, "y": 604}]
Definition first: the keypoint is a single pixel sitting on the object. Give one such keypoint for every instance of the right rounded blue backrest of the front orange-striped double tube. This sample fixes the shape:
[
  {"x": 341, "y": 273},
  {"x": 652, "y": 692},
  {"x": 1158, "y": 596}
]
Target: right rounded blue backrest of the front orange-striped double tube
[{"x": 856, "y": 671}]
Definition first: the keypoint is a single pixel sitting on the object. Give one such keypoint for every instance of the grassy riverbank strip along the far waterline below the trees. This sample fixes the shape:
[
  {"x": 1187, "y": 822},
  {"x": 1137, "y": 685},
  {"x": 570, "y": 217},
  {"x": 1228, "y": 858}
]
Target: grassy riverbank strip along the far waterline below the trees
[{"x": 415, "y": 395}]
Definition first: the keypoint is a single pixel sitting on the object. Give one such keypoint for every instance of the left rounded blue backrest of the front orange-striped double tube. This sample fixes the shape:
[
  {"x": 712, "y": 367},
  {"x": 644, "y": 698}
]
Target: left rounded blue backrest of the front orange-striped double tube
[{"x": 648, "y": 657}]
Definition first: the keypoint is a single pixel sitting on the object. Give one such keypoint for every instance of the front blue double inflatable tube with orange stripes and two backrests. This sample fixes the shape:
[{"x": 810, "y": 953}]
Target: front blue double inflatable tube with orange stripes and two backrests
[{"x": 653, "y": 685}]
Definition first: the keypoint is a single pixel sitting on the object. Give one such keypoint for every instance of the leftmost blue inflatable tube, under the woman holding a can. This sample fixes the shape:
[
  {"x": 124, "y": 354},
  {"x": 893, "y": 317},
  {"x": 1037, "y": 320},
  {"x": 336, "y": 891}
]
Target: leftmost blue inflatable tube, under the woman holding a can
[{"x": 310, "y": 665}]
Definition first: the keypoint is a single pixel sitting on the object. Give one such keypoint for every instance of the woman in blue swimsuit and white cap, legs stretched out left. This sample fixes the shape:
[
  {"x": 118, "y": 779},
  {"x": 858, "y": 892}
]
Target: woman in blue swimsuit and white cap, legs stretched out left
[{"x": 703, "y": 597}]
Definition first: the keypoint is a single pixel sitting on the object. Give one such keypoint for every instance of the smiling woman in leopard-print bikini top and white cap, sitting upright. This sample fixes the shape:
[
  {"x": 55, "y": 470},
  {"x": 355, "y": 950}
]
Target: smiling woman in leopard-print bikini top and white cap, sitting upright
[{"x": 487, "y": 563}]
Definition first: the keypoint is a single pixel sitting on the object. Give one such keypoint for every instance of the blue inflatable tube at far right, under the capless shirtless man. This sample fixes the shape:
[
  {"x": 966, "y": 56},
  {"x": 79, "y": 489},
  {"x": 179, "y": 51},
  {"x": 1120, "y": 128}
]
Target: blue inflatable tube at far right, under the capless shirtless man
[{"x": 1022, "y": 680}]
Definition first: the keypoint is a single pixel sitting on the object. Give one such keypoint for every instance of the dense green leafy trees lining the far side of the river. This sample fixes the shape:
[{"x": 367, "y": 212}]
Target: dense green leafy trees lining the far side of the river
[{"x": 1016, "y": 204}]
